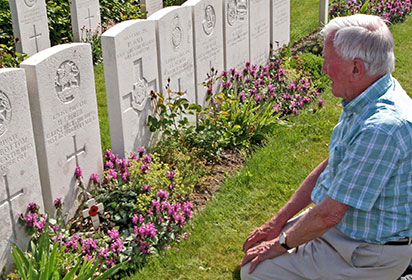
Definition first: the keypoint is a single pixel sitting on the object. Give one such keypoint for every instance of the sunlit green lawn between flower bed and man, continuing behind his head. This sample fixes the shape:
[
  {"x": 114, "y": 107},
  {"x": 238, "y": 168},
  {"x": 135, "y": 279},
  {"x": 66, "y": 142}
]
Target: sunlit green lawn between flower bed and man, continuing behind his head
[{"x": 254, "y": 194}]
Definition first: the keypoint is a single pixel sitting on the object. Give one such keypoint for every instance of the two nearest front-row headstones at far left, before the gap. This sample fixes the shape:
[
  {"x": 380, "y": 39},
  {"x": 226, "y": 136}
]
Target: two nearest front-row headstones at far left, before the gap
[{"x": 48, "y": 126}]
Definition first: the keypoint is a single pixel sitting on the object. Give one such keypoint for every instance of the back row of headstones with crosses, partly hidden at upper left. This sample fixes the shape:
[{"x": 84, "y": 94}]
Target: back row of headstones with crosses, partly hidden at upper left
[{"x": 30, "y": 27}]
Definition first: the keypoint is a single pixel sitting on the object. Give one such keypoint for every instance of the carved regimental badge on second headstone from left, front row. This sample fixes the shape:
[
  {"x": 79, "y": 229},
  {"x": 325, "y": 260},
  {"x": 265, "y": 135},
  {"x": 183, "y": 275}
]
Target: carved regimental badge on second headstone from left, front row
[{"x": 67, "y": 79}]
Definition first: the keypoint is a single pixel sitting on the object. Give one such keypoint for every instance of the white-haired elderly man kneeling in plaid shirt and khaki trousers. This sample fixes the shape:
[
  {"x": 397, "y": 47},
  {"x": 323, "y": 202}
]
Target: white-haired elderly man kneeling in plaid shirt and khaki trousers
[{"x": 360, "y": 226}]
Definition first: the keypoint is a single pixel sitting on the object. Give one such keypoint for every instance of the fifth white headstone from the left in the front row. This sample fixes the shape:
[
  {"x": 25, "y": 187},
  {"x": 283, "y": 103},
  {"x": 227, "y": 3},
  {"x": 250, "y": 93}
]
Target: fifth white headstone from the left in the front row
[{"x": 207, "y": 41}]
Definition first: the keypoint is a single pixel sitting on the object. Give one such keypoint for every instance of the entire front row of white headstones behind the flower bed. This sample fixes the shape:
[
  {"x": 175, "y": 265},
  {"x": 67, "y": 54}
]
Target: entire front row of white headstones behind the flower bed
[{"x": 48, "y": 111}]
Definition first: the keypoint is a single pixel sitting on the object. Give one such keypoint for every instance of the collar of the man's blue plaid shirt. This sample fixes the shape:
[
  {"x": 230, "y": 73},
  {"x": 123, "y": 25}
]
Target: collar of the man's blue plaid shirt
[{"x": 373, "y": 92}]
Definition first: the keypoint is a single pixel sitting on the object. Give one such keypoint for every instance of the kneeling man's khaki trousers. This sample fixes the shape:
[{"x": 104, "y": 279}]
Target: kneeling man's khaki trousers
[{"x": 334, "y": 256}]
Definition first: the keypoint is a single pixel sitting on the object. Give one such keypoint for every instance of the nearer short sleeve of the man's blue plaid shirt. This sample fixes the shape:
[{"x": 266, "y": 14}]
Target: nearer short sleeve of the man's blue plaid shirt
[{"x": 367, "y": 164}]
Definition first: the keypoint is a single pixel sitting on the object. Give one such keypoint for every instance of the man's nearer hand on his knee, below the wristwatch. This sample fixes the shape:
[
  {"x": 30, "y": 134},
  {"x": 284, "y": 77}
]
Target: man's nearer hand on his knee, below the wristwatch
[{"x": 265, "y": 250}]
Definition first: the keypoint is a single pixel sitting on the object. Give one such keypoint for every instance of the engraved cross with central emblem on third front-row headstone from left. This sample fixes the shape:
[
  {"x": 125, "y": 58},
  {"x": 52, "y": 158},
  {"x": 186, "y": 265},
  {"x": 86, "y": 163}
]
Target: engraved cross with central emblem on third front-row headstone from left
[{"x": 137, "y": 98}]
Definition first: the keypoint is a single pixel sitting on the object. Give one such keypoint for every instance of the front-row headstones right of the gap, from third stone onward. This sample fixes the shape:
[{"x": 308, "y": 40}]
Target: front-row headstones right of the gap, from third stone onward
[{"x": 177, "y": 46}]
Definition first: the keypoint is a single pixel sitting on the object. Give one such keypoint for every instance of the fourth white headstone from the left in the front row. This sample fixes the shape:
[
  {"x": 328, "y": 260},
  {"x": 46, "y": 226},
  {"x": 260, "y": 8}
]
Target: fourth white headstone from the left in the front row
[{"x": 175, "y": 49}]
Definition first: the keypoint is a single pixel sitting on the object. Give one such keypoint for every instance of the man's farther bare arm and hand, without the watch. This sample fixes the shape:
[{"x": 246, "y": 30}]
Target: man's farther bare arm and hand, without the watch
[{"x": 300, "y": 199}]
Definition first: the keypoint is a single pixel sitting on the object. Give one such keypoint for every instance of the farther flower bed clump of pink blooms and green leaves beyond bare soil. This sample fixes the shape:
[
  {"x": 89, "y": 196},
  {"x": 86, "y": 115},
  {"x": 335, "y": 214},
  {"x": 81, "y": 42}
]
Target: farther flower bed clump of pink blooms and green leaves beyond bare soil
[{"x": 242, "y": 113}]
